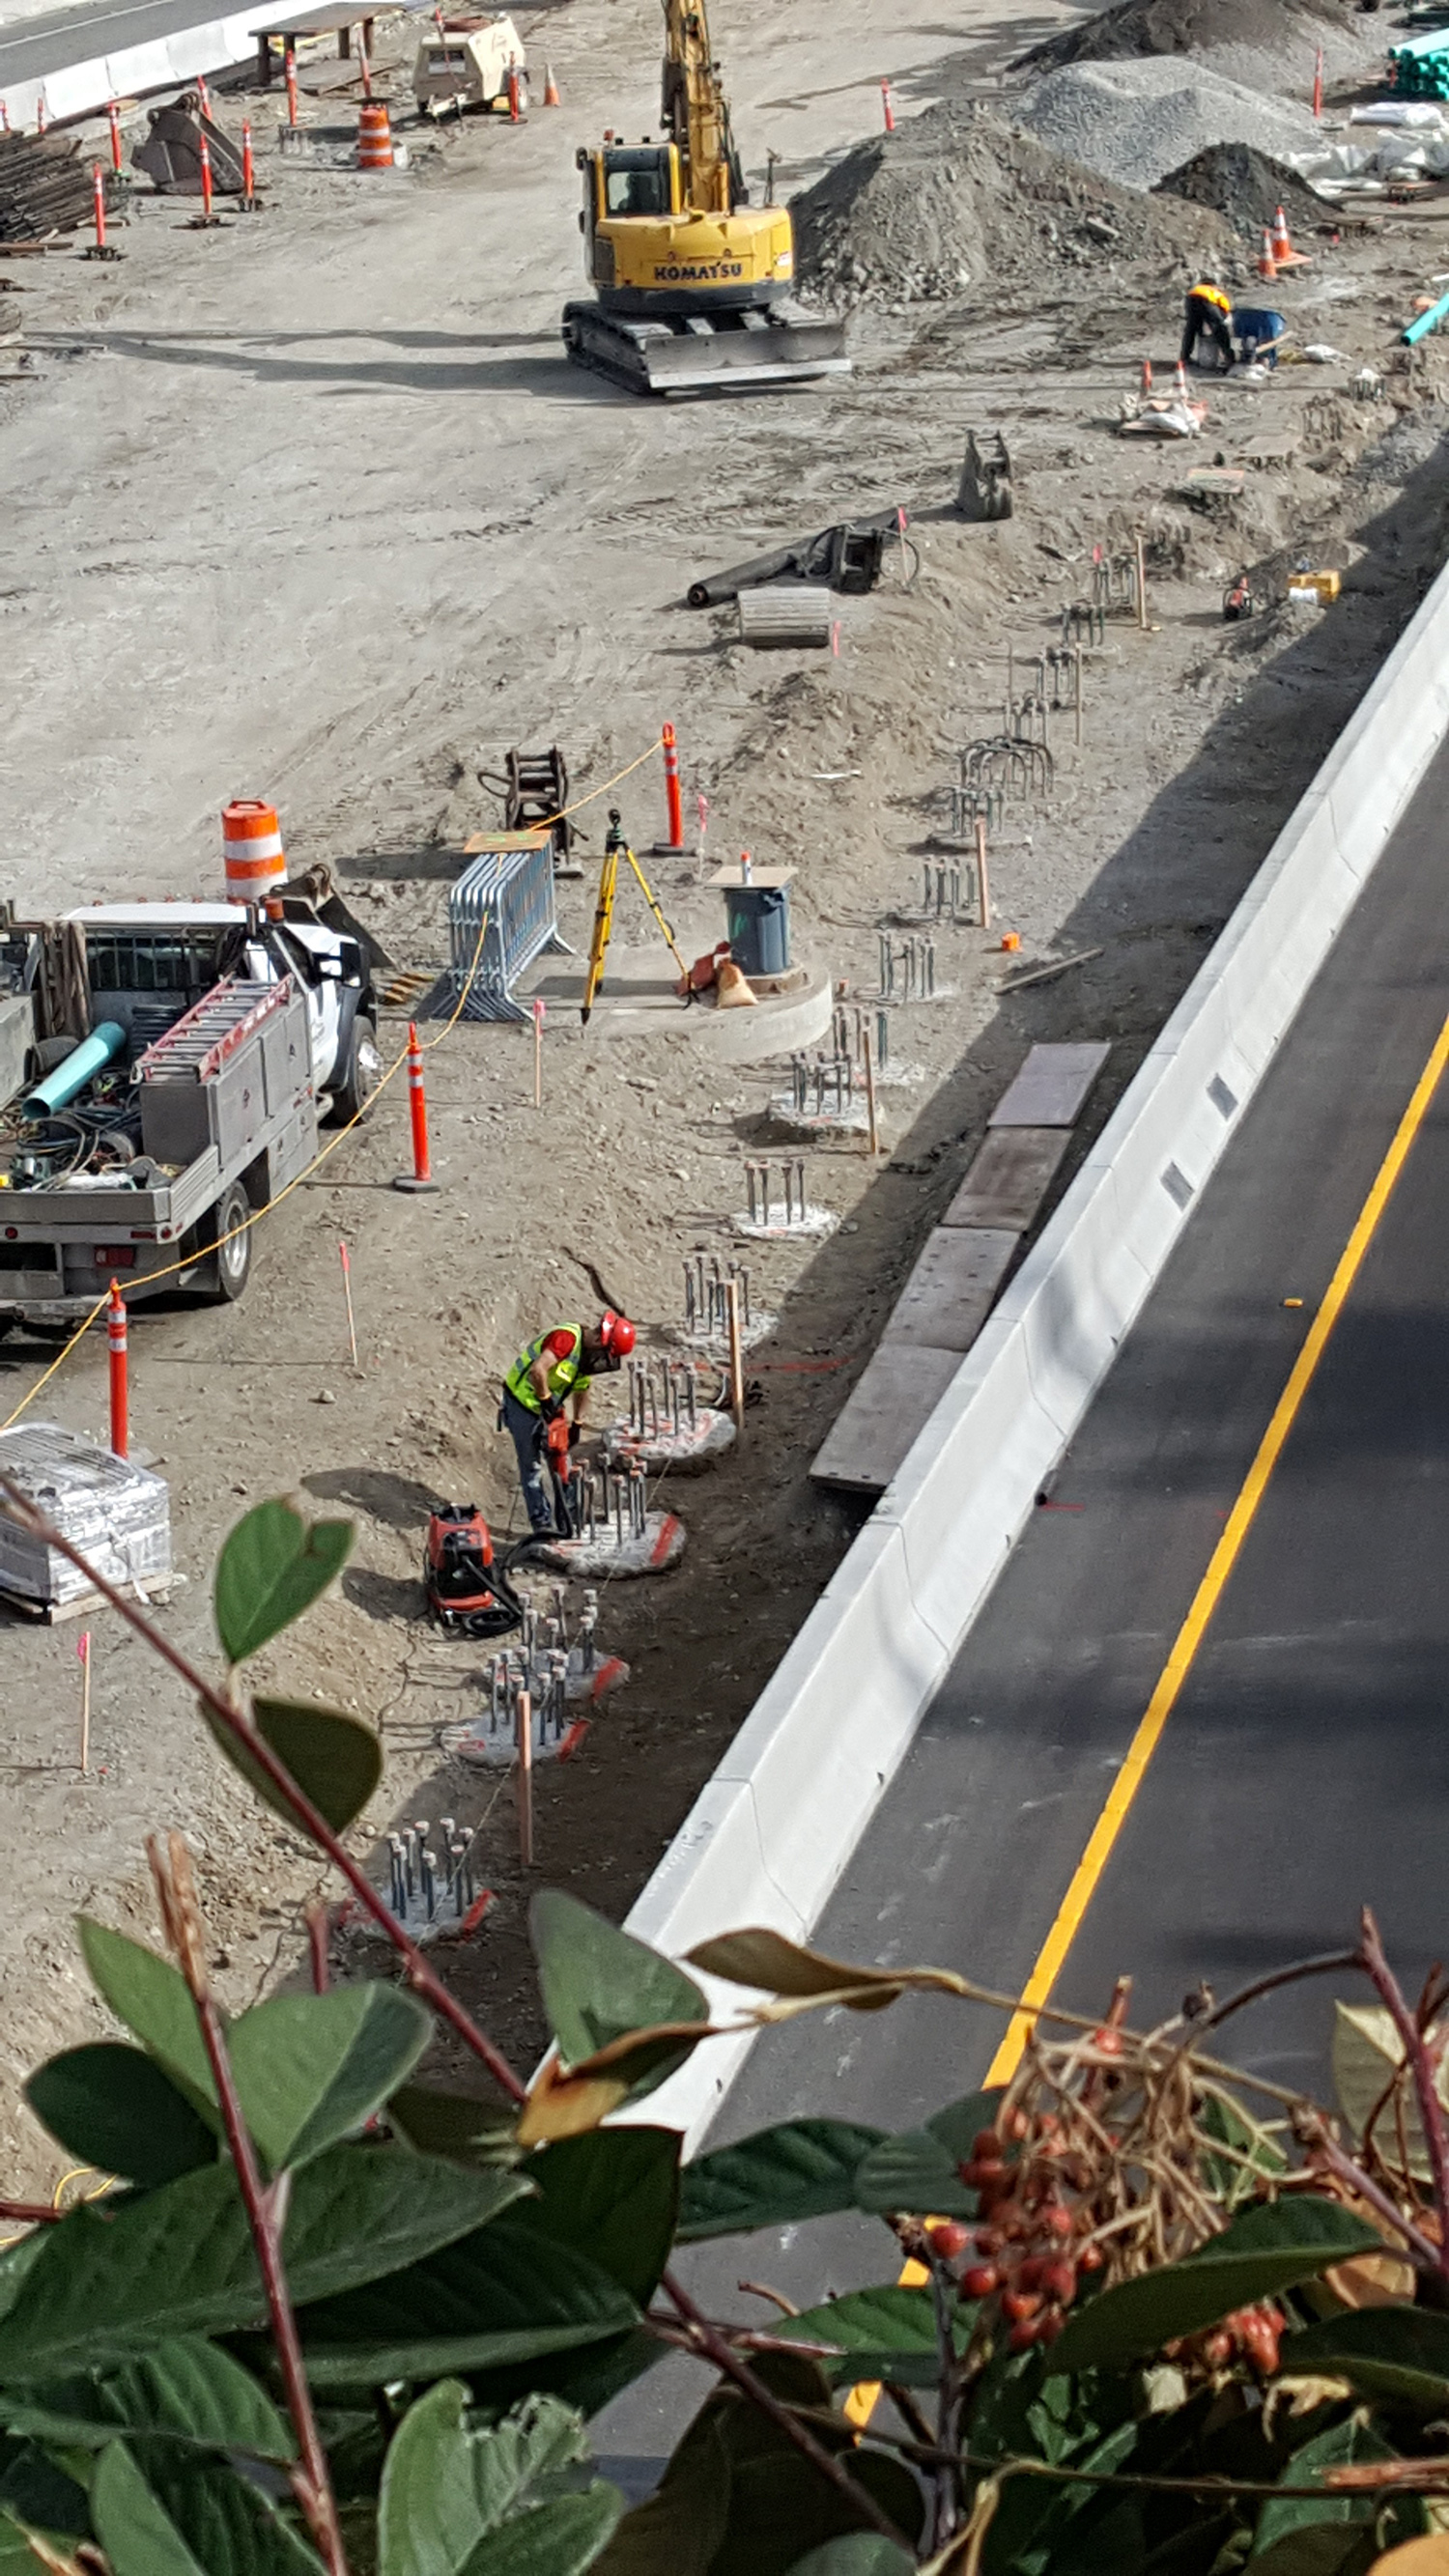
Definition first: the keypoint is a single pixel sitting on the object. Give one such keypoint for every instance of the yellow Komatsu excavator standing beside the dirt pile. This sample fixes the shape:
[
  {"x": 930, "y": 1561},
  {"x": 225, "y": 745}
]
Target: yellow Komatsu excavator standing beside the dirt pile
[{"x": 692, "y": 282}]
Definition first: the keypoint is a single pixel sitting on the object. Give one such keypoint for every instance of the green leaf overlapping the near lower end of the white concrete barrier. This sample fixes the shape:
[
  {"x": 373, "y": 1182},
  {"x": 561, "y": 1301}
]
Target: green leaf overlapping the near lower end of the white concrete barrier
[{"x": 599, "y": 1985}]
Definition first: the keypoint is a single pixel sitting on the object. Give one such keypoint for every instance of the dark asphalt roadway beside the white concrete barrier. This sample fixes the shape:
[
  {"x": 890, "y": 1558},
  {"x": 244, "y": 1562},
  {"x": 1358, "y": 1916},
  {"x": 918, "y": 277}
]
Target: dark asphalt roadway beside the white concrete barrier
[{"x": 1306, "y": 1763}]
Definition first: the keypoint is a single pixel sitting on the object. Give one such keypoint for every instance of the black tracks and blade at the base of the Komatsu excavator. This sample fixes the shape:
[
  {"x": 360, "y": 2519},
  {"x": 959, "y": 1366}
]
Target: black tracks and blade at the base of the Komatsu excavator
[{"x": 705, "y": 354}]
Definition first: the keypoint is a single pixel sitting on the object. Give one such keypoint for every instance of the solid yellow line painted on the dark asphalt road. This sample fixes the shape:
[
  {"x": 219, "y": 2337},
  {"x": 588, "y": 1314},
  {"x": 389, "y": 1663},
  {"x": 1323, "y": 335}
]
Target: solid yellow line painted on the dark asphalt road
[{"x": 1087, "y": 1877}]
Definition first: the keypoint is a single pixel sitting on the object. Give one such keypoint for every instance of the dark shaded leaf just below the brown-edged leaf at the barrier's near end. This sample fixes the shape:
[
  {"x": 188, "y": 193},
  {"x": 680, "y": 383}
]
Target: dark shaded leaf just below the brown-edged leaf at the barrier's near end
[{"x": 610, "y": 2193}]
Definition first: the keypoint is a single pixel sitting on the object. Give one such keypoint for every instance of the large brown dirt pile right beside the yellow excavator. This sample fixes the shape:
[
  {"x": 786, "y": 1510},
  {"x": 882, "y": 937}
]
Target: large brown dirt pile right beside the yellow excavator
[{"x": 960, "y": 200}]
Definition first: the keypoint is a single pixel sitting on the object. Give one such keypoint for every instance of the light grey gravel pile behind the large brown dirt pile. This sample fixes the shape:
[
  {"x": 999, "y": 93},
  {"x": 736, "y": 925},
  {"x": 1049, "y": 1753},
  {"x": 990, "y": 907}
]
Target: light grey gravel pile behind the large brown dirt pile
[{"x": 1133, "y": 122}]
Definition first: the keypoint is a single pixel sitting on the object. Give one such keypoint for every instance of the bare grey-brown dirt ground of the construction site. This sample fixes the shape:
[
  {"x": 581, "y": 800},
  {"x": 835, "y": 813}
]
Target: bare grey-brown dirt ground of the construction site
[{"x": 313, "y": 509}]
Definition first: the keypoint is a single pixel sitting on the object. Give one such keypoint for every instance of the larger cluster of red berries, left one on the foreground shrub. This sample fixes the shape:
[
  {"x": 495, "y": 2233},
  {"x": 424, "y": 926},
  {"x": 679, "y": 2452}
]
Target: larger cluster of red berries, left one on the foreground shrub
[{"x": 1030, "y": 2240}]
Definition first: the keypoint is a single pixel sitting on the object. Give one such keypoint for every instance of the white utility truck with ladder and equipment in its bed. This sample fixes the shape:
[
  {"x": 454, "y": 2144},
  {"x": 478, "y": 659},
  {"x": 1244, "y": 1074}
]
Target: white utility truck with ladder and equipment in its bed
[{"x": 164, "y": 1070}]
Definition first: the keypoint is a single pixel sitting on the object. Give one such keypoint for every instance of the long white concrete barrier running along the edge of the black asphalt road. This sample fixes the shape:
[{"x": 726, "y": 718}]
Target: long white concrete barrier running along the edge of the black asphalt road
[{"x": 777, "y": 1825}]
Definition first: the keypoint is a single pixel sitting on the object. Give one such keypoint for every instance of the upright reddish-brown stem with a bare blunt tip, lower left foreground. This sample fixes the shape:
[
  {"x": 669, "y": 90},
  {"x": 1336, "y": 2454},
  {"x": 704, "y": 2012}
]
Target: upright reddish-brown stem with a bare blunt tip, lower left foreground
[{"x": 264, "y": 2206}]
